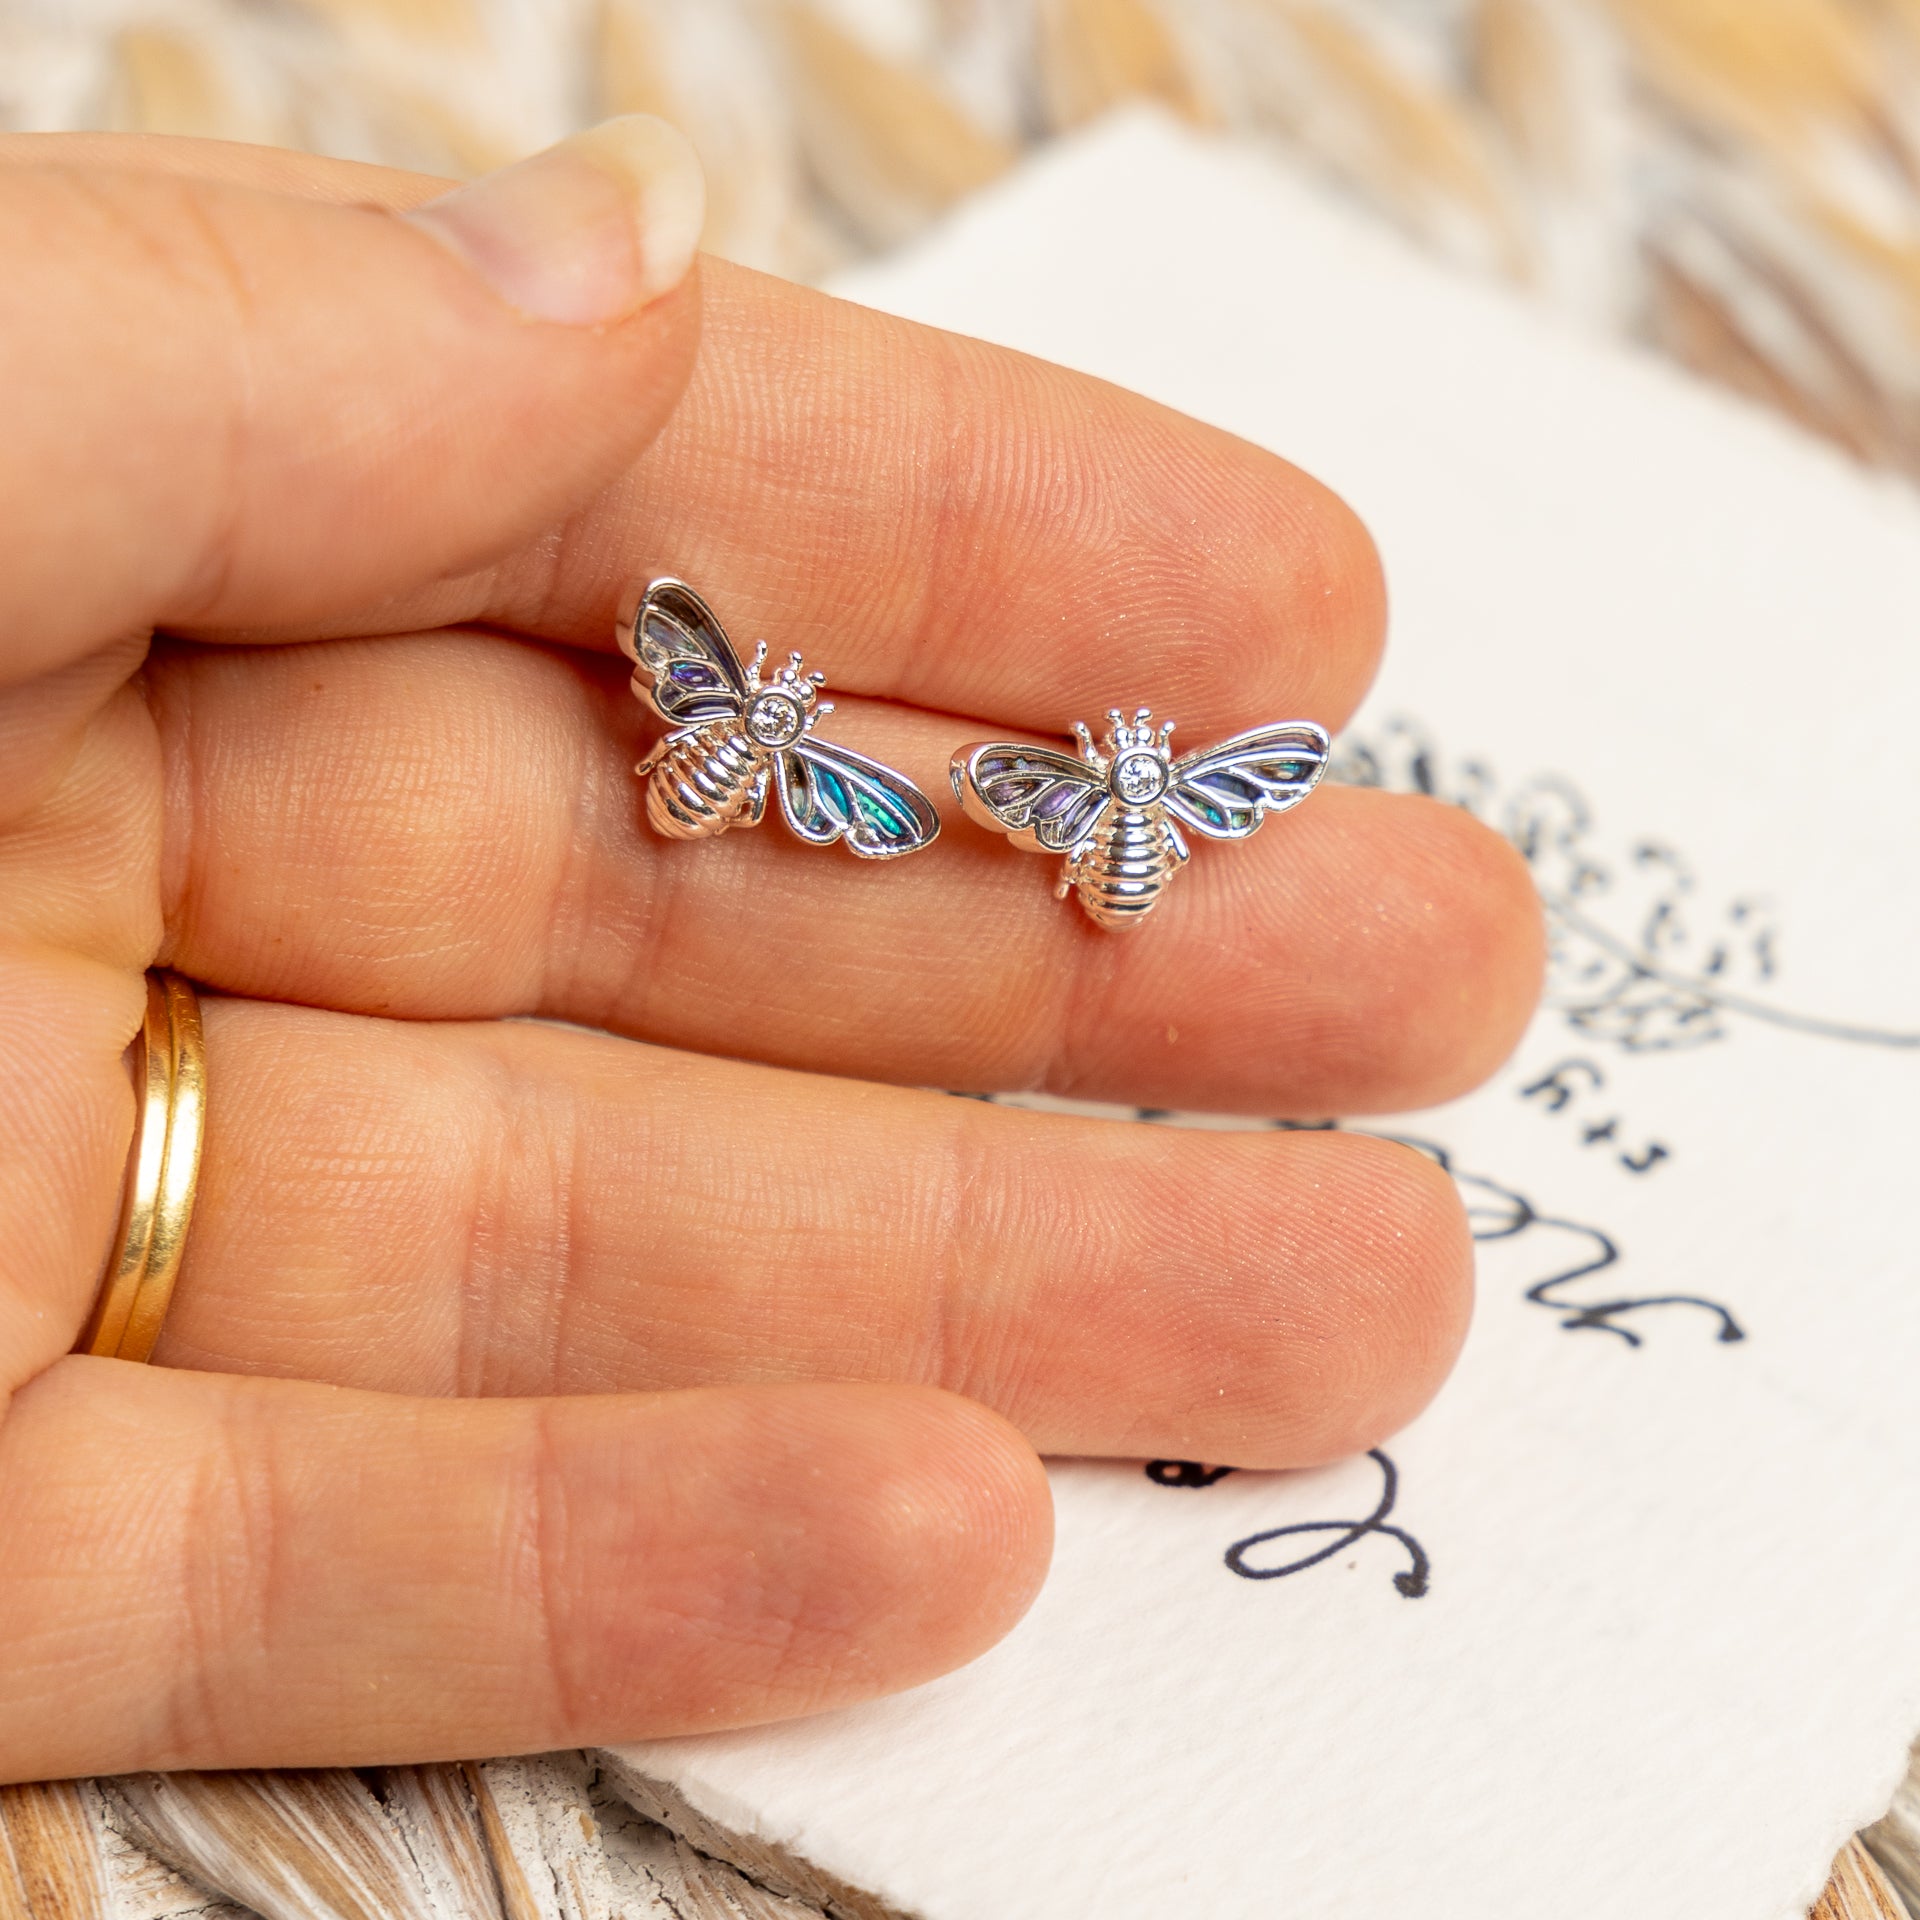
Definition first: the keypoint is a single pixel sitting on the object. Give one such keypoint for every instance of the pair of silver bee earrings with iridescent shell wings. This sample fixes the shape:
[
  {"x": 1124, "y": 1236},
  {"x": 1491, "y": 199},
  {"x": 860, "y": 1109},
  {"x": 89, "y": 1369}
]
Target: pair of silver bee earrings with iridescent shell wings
[{"x": 1115, "y": 815}]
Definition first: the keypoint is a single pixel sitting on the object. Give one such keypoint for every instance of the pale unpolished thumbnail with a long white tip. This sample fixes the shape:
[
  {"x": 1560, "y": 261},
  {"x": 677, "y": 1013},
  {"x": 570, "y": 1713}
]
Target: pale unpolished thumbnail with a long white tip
[{"x": 585, "y": 233}]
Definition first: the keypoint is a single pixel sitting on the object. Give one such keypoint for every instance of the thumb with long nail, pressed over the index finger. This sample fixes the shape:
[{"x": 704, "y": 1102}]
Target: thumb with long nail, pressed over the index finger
[{"x": 235, "y": 408}]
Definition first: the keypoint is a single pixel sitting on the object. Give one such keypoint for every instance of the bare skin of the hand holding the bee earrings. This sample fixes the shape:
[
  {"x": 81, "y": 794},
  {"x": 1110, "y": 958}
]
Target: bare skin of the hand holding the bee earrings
[{"x": 533, "y": 1387}]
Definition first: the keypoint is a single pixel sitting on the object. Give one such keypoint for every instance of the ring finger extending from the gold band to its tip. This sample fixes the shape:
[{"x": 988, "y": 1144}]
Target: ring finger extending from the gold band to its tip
[{"x": 521, "y": 1211}]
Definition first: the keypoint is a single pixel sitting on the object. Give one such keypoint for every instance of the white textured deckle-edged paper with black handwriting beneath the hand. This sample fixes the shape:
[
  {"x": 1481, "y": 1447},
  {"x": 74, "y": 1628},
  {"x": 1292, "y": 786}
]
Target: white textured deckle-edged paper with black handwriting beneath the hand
[{"x": 1650, "y": 1643}]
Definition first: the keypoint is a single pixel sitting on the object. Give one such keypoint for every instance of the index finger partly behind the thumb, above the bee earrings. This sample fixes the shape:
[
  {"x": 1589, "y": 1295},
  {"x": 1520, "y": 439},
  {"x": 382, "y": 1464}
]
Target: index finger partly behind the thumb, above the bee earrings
[{"x": 938, "y": 521}]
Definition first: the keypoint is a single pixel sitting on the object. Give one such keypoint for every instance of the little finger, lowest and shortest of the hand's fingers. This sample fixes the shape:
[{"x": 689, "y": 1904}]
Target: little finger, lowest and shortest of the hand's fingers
[{"x": 241, "y": 1573}]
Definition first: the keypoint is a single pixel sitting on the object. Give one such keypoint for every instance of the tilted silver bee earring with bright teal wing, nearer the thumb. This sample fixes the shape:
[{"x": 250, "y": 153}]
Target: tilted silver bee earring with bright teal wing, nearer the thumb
[{"x": 736, "y": 738}]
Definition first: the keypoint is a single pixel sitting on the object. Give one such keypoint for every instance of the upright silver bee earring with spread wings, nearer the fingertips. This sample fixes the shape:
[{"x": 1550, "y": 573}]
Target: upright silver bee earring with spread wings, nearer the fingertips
[{"x": 1118, "y": 815}]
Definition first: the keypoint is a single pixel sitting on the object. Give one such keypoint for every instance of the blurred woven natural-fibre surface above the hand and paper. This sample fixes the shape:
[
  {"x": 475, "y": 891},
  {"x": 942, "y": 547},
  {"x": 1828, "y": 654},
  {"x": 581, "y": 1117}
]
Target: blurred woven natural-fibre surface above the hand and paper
[{"x": 1735, "y": 183}]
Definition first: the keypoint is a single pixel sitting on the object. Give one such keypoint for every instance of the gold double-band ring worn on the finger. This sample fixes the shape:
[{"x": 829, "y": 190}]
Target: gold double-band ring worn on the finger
[{"x": 162, "y": 1174}]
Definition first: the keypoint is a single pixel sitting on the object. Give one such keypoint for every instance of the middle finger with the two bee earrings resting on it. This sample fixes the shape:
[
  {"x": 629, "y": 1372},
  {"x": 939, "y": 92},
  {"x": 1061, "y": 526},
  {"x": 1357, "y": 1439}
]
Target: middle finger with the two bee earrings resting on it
[{"x": 443, "y": 830}]
